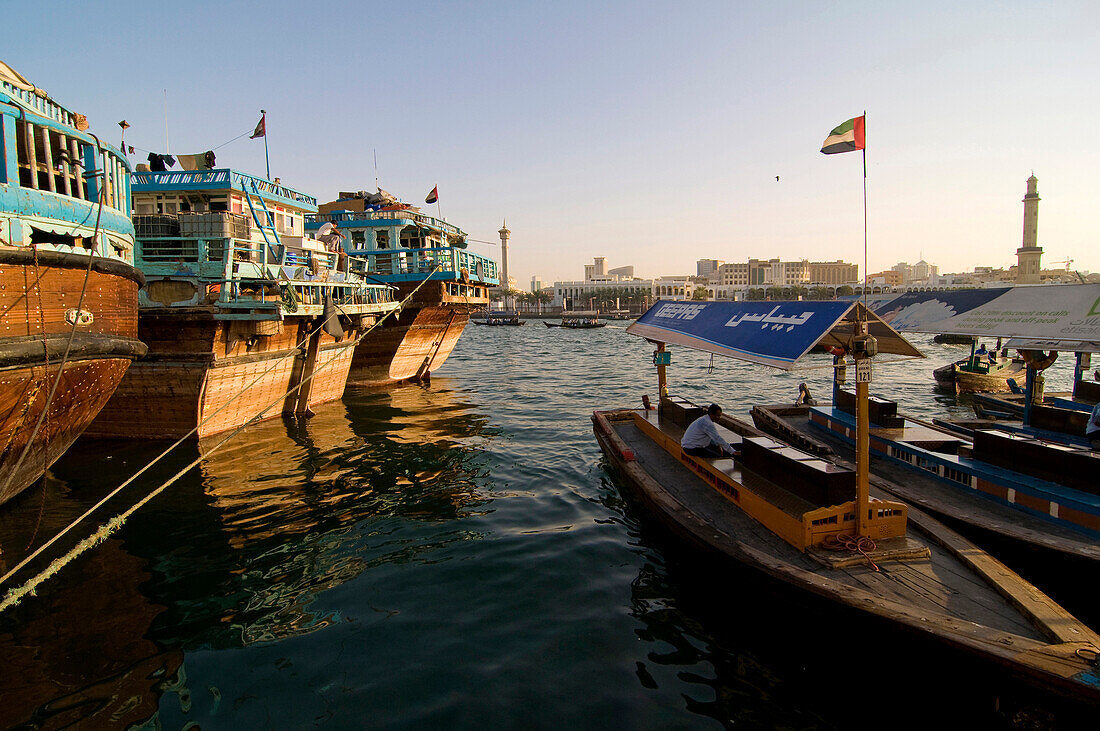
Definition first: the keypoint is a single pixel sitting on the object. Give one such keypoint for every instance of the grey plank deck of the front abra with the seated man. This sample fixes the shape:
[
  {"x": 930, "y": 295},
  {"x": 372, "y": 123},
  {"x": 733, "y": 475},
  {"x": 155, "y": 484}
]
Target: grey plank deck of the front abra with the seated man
[{"x": 941, "y": 584}]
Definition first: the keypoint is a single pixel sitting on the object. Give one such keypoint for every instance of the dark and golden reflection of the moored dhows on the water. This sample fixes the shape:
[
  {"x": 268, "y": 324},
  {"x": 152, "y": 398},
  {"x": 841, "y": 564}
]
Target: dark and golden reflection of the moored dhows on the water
[{"x": 235, "y": 555}]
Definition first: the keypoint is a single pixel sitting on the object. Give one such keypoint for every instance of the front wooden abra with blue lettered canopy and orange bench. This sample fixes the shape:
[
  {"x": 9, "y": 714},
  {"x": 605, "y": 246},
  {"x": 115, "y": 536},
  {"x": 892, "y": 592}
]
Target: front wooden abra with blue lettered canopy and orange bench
[{"x": 780, "y": 511}]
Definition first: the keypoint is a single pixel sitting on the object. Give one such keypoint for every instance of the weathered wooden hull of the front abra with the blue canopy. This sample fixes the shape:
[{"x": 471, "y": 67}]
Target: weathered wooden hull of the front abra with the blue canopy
[{"x": 685, "y": 506}]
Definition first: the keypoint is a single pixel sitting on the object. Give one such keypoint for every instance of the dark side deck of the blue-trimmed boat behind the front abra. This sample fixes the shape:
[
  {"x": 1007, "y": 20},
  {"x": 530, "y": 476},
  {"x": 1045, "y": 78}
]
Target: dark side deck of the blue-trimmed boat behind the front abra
[{"x": 931, "y": 494}]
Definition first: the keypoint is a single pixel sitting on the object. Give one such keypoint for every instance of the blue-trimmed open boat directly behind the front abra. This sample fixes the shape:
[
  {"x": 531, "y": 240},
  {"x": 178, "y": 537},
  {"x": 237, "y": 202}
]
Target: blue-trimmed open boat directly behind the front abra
[{"x": 999, "y": 481}]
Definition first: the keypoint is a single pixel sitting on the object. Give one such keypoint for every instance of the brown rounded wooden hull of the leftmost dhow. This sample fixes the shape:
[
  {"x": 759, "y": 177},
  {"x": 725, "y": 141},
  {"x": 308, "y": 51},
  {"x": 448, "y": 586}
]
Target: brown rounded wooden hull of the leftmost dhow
[{"x": 38, "y": 302}]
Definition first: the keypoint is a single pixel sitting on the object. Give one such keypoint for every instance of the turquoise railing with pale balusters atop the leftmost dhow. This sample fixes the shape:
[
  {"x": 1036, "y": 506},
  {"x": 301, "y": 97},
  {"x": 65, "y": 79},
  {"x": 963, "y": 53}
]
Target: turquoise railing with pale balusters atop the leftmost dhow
[{"x": 53, "y": 157}]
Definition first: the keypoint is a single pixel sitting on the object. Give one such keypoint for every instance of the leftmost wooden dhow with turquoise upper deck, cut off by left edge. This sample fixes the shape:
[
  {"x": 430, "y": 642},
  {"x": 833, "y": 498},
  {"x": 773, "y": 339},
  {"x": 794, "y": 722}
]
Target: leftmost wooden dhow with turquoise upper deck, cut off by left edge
[{"x": 69, "y": 289}]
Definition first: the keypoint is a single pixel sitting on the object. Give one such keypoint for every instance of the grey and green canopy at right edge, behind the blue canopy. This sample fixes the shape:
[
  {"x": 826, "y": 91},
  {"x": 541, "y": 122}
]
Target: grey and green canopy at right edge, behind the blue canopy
[{"x": 1052, "y": 317}]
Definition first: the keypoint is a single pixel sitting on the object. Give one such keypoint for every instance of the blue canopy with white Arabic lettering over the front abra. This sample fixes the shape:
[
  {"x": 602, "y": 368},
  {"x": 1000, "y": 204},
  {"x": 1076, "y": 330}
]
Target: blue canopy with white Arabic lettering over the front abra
[{"x": 771, "y": 334}]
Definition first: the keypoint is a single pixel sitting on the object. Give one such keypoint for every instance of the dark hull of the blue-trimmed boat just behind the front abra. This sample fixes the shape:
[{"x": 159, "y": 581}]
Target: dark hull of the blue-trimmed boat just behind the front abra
[{"x": 984, "y": 512}]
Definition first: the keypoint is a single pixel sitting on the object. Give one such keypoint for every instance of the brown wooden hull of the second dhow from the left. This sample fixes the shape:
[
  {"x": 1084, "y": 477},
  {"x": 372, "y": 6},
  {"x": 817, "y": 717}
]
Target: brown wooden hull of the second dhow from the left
[{"x": 215, "y": 375}]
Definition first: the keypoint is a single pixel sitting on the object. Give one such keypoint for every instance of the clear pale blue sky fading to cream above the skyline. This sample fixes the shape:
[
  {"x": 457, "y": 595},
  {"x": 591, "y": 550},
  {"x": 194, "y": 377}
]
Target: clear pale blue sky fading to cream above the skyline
[{"x": 651, "y": 134}]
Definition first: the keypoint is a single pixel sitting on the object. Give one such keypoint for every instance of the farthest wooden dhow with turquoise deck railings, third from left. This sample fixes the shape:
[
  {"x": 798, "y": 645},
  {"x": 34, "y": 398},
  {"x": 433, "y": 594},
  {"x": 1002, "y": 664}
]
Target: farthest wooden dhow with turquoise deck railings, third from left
[{"x": 398, "y": 245}]
